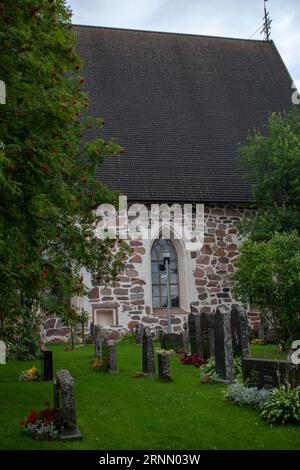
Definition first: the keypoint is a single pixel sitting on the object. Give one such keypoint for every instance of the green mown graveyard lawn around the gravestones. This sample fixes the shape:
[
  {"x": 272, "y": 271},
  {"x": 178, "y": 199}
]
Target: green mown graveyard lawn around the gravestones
[{"x": 117, "y": 411}]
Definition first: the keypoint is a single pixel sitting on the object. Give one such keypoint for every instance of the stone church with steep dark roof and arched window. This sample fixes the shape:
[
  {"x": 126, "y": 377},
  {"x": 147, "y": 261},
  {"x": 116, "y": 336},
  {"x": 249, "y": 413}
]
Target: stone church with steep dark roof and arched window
[{"x": 180, "y": 105}]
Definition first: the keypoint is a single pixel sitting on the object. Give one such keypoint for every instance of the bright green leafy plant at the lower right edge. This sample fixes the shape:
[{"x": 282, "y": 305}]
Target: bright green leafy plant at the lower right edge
[{"x": 283, "y": 406}]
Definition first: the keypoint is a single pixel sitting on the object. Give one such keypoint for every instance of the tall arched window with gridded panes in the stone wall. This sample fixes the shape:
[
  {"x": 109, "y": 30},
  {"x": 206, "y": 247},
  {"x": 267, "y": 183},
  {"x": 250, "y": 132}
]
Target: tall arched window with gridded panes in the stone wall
[{"x": 159, "y": 278}]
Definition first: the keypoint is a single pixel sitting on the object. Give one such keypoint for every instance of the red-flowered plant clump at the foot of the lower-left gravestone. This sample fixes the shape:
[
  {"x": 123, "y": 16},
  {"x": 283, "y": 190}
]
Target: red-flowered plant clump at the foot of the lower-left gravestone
[{"x": 43, "y": 425}]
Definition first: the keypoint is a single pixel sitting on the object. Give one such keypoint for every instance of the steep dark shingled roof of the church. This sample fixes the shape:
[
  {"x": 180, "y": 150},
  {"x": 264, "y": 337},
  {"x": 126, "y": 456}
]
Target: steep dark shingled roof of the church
[{"x": 180, "y": 104}]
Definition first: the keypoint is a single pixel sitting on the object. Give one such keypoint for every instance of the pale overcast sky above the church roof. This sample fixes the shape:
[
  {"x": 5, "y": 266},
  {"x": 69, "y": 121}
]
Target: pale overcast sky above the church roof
[{"x": 231, "y": 18}]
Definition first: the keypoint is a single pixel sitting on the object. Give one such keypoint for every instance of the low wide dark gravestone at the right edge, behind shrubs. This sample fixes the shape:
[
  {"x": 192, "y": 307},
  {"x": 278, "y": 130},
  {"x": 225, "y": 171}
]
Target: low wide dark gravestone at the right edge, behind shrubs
[{"x": 270, "y": 373}]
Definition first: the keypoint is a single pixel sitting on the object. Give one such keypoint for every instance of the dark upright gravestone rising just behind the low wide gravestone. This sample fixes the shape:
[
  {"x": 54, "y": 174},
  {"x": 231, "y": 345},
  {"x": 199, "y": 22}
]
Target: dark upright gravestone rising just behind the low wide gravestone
[{"x": 240, "y": 331}]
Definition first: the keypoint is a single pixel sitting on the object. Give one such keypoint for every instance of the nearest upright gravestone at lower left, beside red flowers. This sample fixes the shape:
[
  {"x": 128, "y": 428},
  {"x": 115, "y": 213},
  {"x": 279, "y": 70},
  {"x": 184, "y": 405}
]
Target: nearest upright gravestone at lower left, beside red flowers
[{"x": 64, "y": 398}]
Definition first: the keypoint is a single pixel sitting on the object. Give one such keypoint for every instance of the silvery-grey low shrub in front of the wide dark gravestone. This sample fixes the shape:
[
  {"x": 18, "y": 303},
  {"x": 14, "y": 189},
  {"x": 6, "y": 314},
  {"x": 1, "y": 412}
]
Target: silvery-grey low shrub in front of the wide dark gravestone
[{"x": 241, "y": 395}]
